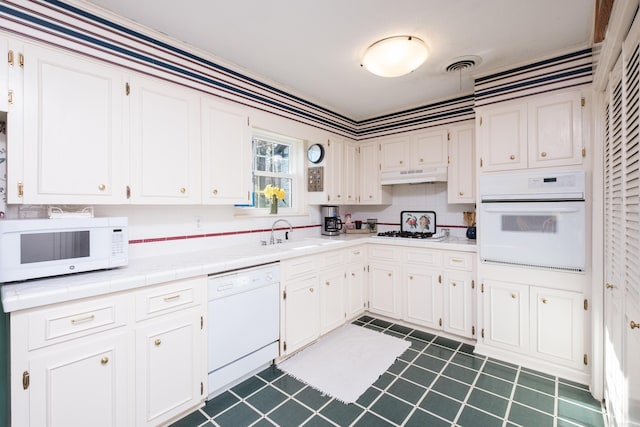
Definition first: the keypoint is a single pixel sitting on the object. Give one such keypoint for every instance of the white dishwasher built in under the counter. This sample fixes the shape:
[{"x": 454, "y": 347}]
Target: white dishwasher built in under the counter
[{"x": 244, "y": 324}]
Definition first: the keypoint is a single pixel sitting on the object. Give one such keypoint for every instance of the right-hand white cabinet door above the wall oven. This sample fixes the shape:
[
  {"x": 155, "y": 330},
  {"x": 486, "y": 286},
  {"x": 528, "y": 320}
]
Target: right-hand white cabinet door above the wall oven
[{"x": 555, "y": 130}]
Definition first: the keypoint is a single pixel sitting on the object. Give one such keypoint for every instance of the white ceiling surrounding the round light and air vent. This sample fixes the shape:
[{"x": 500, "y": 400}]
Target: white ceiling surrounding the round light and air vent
[{"x": 313, "y": 48}]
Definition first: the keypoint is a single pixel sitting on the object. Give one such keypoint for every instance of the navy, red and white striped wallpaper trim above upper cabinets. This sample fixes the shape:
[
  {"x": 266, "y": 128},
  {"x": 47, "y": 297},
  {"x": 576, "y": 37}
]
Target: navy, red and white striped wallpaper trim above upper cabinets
[{"x": 66, "y": 26}]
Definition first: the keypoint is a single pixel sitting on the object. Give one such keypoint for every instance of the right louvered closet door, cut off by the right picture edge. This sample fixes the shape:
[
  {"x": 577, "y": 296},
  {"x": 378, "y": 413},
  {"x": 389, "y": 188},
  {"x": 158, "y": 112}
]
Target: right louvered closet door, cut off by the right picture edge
[{"x": 631, "y": 209}]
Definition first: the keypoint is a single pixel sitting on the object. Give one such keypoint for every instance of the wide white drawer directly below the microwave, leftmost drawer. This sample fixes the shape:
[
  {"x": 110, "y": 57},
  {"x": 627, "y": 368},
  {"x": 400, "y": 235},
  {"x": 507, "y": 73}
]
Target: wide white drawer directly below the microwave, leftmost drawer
[{"x": 68, "y": 321}]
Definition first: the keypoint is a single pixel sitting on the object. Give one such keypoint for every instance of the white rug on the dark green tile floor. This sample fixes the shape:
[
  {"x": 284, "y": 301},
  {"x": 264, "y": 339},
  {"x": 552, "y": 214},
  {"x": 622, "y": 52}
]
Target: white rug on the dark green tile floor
[{"x": 346, "y": 362}]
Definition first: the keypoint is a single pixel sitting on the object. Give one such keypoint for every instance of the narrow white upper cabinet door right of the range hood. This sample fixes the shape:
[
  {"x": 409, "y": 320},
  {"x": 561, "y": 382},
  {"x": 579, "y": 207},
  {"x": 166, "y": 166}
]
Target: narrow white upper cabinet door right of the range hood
[{"x": 461, "y": 173}]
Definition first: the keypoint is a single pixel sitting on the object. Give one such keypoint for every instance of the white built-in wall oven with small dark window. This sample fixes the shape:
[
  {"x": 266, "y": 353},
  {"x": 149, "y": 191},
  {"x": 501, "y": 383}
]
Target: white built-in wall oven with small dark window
[{"x": 533, "y": 219}]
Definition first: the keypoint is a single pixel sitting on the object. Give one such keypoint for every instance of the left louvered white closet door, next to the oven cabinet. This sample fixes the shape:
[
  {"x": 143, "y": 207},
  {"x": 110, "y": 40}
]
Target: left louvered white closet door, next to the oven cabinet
[{"x": 613, "y": 250}]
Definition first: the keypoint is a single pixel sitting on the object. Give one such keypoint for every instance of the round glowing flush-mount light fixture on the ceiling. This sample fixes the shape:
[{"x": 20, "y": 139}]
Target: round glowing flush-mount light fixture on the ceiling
[{"x": 395, "y": 56}]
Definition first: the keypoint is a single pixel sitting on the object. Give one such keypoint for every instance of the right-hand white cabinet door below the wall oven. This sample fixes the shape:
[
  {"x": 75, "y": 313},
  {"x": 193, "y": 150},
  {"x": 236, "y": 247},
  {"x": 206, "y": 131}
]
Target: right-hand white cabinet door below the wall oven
[{"x": 557, "y": 326}]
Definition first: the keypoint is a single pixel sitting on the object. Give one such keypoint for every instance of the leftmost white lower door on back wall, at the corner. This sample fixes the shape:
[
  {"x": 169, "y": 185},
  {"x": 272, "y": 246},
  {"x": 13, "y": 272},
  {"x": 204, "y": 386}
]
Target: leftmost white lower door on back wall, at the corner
[{"x": 384, "y": 289}]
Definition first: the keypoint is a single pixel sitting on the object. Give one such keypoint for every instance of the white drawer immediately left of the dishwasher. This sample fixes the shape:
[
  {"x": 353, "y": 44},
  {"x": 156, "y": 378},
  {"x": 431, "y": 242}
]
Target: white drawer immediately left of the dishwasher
[{"x": 168, "y": 298}]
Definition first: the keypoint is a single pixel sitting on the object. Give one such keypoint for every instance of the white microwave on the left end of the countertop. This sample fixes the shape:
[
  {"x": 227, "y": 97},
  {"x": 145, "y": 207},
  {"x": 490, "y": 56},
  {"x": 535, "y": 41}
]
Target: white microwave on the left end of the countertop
[{"x": 35, "y": 248}]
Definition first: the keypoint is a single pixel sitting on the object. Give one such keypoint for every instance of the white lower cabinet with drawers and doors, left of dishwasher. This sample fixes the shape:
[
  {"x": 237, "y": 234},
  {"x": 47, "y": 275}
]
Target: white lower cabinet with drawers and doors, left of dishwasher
[{"x": 130, "y": 358}]
